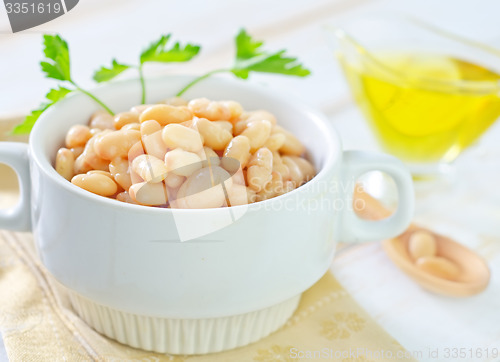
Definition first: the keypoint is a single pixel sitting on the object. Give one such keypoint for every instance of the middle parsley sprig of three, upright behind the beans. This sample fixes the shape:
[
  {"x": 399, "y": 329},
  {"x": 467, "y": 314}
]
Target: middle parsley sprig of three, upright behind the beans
[{"x": 156, "y": 52}]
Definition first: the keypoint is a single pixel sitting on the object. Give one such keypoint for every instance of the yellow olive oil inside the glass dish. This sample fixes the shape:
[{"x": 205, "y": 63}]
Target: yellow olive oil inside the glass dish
[{"x": 424, "y": 107}]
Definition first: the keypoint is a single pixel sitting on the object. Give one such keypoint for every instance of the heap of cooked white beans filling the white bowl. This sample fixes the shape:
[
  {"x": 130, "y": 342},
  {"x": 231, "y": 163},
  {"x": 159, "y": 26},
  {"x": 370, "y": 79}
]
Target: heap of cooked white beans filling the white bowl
[{"x": 179, "y": 154}]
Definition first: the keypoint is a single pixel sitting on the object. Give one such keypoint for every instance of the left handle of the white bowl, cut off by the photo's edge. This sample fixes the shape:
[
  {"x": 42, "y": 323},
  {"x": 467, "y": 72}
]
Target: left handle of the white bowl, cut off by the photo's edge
[{"x": 18, "y": 218}]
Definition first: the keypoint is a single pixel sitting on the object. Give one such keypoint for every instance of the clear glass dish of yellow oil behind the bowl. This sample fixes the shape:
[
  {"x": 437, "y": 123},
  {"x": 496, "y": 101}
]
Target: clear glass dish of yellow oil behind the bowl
[{"x": 427, "y": 94}]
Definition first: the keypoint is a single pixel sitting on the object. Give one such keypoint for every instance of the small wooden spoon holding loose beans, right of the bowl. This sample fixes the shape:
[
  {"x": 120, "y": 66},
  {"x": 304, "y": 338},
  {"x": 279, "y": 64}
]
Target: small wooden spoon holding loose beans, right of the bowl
[{"x": 474, "y": 274}]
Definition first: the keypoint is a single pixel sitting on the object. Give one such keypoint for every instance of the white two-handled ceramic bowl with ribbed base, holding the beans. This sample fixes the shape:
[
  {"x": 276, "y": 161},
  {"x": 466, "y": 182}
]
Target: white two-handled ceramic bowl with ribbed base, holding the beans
[{"x": 193, "y": 281}]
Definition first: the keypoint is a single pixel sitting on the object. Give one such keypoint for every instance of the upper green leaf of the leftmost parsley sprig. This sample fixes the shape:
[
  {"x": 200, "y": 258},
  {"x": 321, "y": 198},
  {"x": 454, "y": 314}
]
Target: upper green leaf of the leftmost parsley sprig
[{"x": 57, "y": 65}]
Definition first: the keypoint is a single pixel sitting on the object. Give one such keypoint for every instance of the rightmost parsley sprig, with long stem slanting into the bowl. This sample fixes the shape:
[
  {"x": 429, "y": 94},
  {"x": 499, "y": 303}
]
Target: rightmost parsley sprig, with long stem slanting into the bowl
[{"x": 250, "y": 58}]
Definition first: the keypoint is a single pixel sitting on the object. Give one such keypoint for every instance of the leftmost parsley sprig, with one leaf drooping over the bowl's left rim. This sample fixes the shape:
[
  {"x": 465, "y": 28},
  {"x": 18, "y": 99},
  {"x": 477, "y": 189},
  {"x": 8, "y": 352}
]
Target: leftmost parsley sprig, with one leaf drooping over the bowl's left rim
[{"x": 55, "y": 66}]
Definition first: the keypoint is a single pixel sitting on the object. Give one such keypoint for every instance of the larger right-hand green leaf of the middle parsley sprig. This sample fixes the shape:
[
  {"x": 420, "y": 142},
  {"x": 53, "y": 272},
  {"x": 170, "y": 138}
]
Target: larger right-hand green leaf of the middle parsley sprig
[{"x": 157, "y": 52}]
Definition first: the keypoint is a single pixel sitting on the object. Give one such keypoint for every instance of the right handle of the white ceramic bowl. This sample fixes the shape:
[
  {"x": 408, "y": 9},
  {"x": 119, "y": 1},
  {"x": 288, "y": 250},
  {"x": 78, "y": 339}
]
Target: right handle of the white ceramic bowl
[{"x": 355, "y": 229}]
